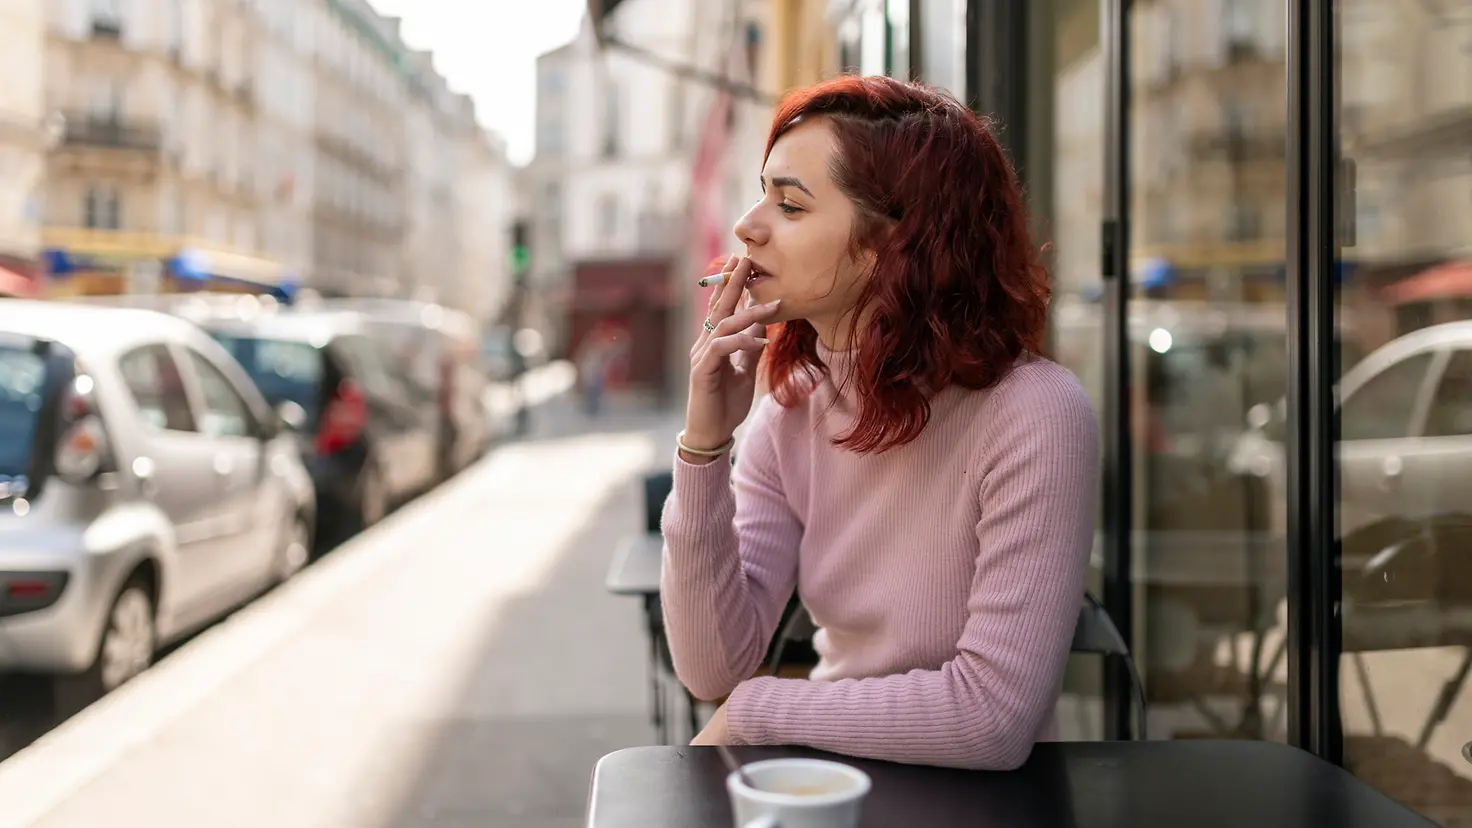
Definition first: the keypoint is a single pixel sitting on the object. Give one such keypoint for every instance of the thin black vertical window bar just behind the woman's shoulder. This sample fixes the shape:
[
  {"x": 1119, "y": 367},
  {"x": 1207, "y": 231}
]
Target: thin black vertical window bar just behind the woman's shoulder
[{"x": 1118, "y": 519}]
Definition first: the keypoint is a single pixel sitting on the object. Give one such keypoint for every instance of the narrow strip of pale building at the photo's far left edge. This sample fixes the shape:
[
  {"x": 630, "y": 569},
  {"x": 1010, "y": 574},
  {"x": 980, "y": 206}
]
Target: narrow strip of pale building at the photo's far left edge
[{"x": 24, "y": 138}]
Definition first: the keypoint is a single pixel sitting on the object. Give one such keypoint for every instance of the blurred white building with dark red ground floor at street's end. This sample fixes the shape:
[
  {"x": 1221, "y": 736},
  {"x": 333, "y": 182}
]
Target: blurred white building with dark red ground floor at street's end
[{"x": 628, "y": 192}]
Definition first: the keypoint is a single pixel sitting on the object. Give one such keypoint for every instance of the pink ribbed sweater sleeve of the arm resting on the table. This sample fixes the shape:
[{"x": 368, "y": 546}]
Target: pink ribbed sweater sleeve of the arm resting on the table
[{"x": 986, "y": 708}]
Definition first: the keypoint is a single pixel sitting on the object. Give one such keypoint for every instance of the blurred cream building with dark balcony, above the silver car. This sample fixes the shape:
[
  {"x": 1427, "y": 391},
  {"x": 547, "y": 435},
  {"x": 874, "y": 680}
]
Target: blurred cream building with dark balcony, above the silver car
[{"x": 154, "y": 176}]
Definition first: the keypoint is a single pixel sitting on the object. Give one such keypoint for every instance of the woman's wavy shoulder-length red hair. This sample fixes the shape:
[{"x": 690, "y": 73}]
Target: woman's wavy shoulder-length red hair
[{"x": 958, "y": 292}]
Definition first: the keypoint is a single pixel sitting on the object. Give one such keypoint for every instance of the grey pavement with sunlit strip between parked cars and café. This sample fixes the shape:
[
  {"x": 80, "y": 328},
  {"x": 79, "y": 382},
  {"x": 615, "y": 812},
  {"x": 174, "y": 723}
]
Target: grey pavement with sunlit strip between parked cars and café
[{"x": 459, "y": 665}]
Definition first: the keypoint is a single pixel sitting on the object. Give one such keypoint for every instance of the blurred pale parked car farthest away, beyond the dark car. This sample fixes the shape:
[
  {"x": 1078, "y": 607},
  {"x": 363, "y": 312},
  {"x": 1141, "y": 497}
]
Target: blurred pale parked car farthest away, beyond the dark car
[{"x": 435, "y": 350}]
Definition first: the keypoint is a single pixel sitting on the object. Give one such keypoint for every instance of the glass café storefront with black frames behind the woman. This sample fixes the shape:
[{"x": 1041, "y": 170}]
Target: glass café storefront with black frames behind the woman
[{"x": 1261, "y": 226}]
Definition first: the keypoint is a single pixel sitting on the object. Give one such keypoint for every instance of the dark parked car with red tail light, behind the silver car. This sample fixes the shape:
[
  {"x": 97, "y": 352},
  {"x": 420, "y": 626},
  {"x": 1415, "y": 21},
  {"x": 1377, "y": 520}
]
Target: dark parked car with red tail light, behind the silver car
[{"x": 369, "y": 438}]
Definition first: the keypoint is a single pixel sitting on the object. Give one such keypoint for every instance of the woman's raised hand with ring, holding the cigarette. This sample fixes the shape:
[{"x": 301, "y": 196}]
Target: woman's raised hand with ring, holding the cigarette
[{"x": 723, "y": 365}]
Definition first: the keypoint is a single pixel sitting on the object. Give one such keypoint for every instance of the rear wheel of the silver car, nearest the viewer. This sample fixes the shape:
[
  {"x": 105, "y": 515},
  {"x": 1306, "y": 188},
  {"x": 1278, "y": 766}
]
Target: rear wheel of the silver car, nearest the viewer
[{"x": 127, "y": 648}]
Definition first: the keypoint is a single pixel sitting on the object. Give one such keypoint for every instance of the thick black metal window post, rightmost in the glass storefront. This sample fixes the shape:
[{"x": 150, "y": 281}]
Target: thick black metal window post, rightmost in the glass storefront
[{"x": 1314, "y": 578}]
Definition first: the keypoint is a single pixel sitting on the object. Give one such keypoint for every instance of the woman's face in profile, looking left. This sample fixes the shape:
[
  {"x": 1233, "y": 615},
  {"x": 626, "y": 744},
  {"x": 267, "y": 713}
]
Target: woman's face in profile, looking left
[{"x": 799, "y": 236}]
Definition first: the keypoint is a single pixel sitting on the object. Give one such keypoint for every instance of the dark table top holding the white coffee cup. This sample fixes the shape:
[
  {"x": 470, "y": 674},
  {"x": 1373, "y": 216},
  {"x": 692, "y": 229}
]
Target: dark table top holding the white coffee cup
[{"x": 1162, "y": 785}]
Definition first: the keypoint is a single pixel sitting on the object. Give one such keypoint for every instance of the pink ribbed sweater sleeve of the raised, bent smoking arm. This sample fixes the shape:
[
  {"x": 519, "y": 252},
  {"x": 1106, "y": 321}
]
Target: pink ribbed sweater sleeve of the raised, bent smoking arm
[{"x": 731, "y": 562}]
